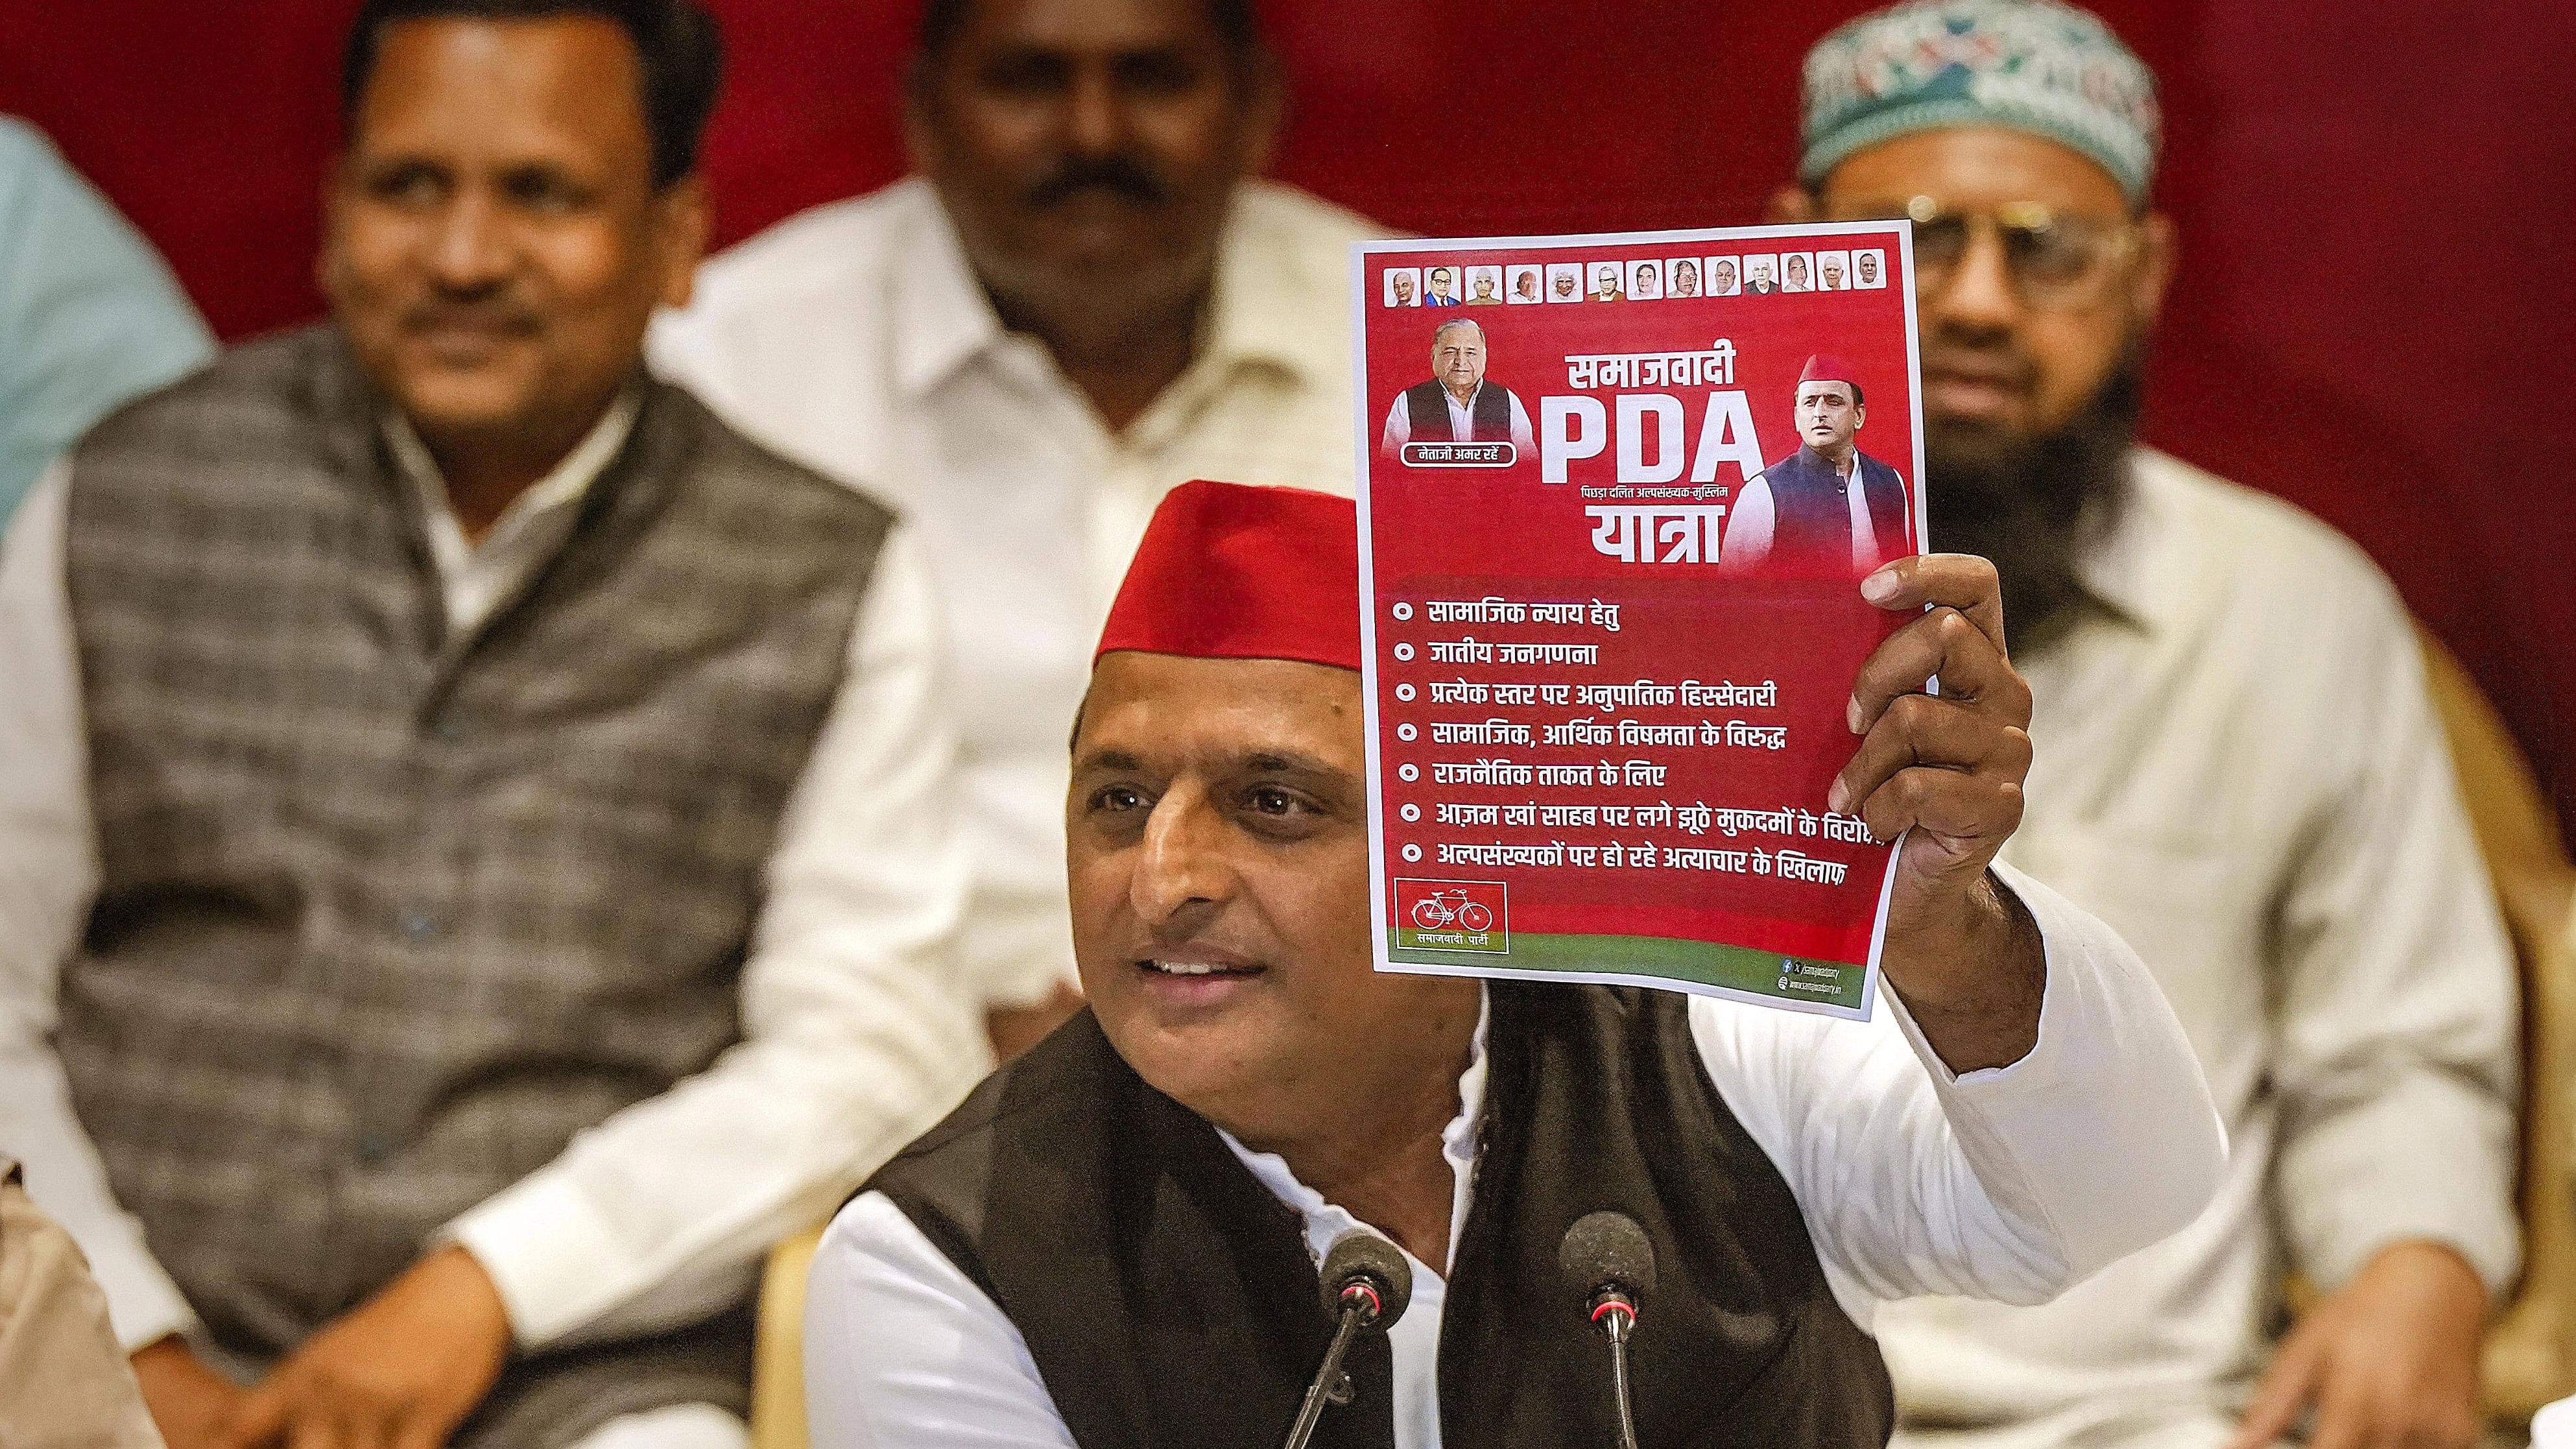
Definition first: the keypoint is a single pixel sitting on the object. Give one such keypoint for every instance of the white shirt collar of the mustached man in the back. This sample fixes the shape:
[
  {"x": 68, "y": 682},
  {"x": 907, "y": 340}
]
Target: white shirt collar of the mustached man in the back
[{"x": 944, "y": 318}]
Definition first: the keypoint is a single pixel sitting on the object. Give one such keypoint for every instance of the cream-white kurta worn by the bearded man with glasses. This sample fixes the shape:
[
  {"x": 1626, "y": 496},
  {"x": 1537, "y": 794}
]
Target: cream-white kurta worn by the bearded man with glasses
[{"x": 2242, "y": 775}]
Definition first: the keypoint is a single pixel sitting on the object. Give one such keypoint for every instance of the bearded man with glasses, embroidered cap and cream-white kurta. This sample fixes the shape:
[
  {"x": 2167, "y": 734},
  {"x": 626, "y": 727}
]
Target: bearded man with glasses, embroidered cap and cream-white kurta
[{"x": 2237, "y": 770}]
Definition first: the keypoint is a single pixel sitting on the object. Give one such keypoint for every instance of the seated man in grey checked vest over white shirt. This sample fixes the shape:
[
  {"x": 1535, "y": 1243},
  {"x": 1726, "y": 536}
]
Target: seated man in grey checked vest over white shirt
[{"x": 475, "y": 837}]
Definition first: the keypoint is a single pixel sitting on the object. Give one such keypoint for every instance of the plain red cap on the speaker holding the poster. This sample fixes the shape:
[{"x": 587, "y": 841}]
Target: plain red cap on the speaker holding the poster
[{"x": 1243, "y": 574}]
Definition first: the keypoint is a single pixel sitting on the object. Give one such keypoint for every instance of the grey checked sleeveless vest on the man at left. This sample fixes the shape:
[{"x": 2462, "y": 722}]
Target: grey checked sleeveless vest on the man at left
[{"x": 388, "y": 917}]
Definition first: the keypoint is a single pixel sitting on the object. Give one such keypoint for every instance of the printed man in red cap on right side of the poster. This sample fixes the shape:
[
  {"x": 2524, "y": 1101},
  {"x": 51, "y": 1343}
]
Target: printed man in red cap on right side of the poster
[{"x": 1828, "y": 507}]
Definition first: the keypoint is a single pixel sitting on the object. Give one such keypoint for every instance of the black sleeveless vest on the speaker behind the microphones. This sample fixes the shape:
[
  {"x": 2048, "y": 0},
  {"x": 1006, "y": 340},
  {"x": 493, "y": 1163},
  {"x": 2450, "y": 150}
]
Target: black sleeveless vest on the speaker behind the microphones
[{"x": 1171, "y": 1301}]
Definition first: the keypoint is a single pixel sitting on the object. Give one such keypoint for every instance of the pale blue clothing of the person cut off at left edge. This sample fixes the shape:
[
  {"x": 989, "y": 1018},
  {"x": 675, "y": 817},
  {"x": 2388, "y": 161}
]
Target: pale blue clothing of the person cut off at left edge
[{"x": 86, "y": 308}]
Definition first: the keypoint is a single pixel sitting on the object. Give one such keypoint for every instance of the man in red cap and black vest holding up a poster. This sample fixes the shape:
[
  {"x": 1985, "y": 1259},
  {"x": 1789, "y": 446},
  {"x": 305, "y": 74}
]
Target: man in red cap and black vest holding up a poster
[{"x": 1114, "y": 1241}]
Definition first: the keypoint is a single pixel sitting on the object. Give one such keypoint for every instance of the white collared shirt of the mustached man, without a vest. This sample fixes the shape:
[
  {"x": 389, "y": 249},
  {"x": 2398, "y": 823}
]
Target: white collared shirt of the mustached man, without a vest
[{"x": 859, "y": 342}]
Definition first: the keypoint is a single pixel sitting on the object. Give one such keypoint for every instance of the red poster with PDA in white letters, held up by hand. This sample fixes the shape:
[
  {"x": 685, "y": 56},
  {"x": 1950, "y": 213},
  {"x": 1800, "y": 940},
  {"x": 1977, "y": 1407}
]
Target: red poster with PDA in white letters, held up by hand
[{"x": 1616, "y": 496}]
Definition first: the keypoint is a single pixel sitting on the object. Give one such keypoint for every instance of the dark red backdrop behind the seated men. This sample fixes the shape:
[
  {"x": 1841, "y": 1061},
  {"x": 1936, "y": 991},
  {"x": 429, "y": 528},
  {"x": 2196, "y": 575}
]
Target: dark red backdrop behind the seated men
[{"x": 2376, "y": 205}]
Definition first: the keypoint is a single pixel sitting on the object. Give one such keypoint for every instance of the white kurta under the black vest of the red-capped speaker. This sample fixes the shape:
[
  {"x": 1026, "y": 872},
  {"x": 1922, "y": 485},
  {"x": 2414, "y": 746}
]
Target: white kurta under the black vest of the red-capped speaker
[{"x": 2005, "y": 1185}]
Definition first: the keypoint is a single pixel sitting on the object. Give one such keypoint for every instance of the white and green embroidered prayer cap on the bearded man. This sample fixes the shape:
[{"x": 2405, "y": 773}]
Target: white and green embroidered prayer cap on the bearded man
[{"x": 2034, "y": 66}]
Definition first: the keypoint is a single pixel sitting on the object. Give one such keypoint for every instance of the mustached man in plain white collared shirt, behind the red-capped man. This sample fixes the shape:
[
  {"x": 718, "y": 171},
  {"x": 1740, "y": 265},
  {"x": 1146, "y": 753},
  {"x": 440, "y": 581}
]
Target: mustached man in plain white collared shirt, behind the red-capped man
[{"x": 1083, "y": 300}]
